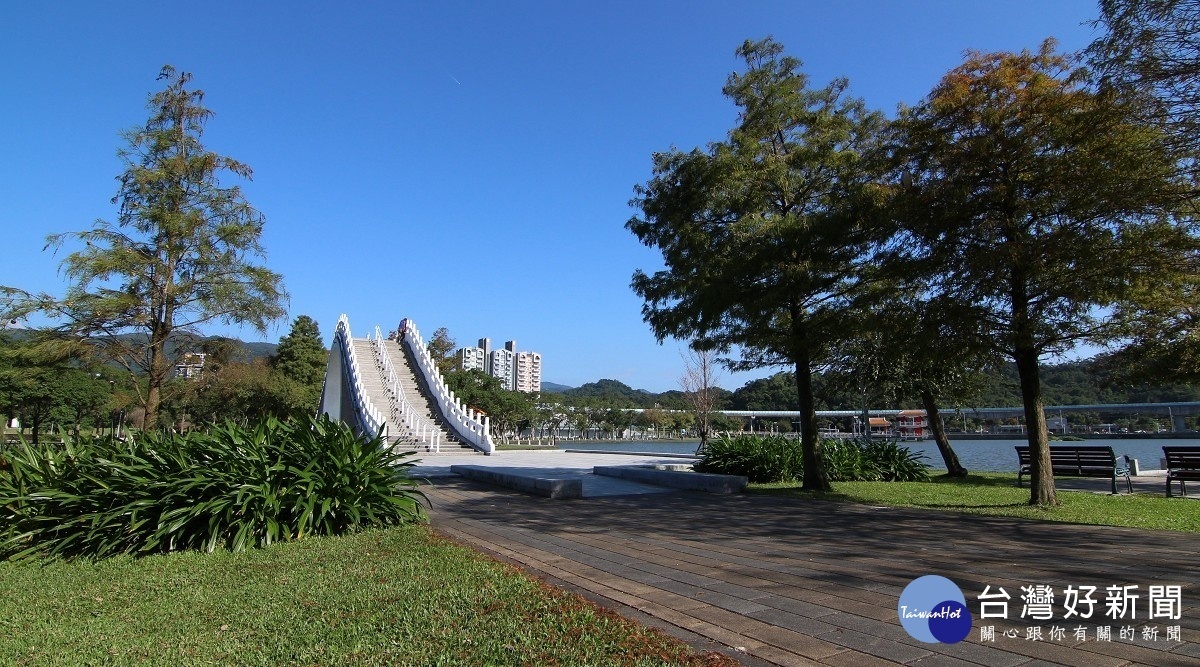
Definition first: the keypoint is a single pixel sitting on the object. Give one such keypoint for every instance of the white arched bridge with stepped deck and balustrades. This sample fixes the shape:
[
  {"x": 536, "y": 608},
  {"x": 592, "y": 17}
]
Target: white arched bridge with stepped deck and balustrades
[{"x": 380, "y": 386}]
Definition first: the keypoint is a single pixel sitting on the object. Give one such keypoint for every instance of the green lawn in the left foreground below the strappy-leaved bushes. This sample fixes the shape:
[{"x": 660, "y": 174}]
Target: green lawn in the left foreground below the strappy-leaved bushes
[{"x": 394, "y": 597}]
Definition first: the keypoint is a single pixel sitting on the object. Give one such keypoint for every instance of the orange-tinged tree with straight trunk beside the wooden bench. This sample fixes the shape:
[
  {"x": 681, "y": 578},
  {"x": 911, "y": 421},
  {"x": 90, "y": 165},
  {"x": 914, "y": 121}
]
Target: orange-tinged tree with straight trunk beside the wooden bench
[{"x": 1041, "y": 202}]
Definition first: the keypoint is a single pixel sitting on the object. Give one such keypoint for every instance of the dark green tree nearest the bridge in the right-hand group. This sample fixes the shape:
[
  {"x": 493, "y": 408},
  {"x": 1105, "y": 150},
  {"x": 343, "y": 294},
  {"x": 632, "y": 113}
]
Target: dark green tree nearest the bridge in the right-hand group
[{"x": 757, "y": 232}]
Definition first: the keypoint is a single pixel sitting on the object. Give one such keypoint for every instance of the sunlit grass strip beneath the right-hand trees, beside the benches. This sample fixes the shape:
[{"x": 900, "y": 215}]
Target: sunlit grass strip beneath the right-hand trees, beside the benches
[{"x": 997, "y": 495}]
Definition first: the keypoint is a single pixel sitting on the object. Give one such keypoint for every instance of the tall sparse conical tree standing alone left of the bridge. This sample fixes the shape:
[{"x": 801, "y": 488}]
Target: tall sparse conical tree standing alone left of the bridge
[{"x": 179, "y": 256}]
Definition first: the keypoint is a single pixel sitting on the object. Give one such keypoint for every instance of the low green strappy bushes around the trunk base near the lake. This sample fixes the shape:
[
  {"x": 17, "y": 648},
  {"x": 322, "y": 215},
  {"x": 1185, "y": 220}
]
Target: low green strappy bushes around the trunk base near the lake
[{"x": 777, "y": 459}]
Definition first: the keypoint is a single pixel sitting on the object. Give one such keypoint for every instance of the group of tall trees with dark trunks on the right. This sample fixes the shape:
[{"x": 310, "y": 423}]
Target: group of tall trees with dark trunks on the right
[{"x": 1030, "y": 203}]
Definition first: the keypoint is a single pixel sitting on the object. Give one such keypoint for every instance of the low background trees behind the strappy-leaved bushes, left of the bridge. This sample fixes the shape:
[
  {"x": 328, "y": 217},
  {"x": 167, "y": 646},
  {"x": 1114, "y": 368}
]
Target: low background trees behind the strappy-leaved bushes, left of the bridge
[{"x": 50, "y": 394}]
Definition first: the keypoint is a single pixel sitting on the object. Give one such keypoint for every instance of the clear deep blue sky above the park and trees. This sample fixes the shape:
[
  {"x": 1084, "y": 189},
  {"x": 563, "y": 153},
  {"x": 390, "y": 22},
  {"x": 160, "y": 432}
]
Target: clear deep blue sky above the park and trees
[{"x": 466, "y": 165}]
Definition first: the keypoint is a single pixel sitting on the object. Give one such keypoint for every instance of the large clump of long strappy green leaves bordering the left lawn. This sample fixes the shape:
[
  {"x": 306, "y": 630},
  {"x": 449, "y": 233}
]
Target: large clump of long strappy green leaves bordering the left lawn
[{"x": 229, "y": 488}]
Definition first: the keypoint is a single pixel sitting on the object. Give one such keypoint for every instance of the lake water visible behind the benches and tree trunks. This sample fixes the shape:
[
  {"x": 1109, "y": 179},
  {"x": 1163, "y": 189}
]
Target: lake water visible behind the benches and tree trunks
[{"x": 997, "y": 456}]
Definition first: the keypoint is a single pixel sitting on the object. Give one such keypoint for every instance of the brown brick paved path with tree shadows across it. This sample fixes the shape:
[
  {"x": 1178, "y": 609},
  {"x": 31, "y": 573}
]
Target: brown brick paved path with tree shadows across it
[{"x": 778, "y": 581}]
